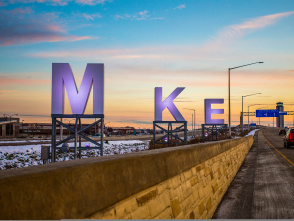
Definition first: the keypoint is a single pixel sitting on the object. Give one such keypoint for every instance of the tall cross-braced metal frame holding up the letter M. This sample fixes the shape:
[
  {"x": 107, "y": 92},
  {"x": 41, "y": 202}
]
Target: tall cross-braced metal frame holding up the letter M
[{"x": 78, "y": 133}]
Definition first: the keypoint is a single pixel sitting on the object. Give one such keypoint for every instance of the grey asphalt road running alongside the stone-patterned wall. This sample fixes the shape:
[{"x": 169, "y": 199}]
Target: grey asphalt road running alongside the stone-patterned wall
[{"x": 264, "y": 186}]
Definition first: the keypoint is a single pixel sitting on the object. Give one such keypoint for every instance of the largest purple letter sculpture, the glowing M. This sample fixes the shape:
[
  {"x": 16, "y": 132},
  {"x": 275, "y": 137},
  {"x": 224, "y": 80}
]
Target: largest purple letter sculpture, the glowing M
[{"x": 62, "y": 77}]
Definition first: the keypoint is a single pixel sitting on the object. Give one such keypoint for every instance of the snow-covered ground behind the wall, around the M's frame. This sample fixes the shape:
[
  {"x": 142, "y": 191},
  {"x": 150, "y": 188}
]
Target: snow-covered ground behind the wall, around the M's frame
[{"x": 30, "y": 155}]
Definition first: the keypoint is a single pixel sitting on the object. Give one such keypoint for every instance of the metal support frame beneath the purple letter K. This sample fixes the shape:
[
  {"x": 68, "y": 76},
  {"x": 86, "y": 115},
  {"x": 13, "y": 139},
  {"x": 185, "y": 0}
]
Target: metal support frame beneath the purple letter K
[{"x": 170, "y": 133}]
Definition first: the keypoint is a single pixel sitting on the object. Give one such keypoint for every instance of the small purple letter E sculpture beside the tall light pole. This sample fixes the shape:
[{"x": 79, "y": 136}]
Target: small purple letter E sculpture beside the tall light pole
[{"x": 209, "y": 111}]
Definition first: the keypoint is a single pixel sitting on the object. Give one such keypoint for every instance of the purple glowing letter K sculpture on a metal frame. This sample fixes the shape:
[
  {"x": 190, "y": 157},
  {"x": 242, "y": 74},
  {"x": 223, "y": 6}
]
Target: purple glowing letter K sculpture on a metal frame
[{"x": 167, "y": 103}]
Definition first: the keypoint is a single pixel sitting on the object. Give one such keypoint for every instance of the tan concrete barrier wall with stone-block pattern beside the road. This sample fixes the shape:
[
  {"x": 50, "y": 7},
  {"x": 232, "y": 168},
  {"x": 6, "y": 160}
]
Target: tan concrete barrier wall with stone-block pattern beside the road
[{"x": 178, "y": 182}]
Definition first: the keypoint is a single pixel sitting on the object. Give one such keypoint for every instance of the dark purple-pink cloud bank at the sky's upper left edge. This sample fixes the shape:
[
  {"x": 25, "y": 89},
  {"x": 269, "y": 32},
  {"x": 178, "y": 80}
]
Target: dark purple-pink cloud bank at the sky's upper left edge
[{"x": 20, "y": 26}]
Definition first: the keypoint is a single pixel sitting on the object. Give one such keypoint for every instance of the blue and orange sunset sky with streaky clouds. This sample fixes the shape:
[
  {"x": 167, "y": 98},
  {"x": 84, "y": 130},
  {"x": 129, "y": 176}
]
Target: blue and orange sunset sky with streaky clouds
[{"x": 147, "y": 44}]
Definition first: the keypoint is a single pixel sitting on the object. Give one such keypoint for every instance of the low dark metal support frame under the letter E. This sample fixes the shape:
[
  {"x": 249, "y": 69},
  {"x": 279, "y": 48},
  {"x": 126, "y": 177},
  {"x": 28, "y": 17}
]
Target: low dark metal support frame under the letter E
[{"x": 213, "y": 130}]
